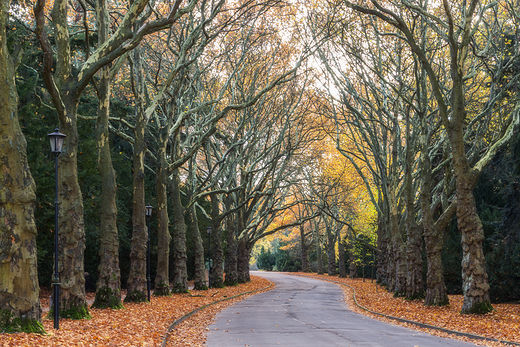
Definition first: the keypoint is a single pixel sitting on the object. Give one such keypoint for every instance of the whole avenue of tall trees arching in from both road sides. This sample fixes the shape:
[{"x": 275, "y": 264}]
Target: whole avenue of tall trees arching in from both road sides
[{"x": 338, "y": 127}]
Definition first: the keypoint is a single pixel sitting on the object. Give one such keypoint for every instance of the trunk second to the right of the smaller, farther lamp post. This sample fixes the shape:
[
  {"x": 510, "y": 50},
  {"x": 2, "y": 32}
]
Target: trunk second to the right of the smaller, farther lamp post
[{"x": 180, "y": 270}]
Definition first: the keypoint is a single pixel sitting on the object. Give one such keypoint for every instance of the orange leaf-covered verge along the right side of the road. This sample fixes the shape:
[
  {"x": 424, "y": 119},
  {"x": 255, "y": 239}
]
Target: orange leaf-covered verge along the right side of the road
[{"x": 501, "y": 324}]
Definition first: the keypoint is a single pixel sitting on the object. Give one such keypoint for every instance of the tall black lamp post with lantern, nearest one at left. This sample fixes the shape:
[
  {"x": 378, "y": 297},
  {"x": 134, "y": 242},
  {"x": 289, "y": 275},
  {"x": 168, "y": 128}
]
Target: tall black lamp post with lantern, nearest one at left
[{"x": 56, "y": 138}]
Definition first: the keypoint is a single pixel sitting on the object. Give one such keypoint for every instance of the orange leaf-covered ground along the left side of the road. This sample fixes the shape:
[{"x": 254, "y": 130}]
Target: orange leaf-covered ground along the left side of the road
[{"x": 143, "y": 324}]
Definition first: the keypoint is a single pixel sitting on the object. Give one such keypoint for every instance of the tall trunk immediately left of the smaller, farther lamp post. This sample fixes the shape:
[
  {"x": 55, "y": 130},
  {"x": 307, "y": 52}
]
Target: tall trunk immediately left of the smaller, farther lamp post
[{"x": 137, "y": 286}]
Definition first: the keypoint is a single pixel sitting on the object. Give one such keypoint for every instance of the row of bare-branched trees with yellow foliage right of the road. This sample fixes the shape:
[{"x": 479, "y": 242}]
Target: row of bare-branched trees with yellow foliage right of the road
[{"x": 422, "y": 95}]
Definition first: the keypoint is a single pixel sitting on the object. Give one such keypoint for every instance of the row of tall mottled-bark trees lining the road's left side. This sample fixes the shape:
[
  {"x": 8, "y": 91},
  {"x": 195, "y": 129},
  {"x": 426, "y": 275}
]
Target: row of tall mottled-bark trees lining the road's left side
[{"x": 204, "y": 97}]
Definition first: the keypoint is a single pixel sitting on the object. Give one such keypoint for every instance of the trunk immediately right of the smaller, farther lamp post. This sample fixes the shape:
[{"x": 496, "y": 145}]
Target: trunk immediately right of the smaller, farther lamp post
[{"x": 162, "y": 281}]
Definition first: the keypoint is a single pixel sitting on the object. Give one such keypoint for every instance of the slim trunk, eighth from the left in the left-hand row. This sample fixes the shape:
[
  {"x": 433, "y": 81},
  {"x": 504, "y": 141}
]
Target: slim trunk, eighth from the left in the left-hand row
[{"x": 217, "y": 254}]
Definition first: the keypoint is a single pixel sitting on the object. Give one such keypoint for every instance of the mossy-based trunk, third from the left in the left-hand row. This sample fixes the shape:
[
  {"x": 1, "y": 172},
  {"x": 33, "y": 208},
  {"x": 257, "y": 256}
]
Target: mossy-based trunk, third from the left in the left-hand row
[{"x": 108, "y": 287}]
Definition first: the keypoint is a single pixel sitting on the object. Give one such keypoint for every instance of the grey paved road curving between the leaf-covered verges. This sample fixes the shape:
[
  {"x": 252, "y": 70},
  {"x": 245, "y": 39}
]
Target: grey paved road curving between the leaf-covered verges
[{"x": 305, "y": 312}]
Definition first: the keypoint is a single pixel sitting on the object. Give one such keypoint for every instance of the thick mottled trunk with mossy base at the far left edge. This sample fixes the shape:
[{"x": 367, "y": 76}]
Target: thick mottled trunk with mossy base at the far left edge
[{"x": 19, "y": 289}]
